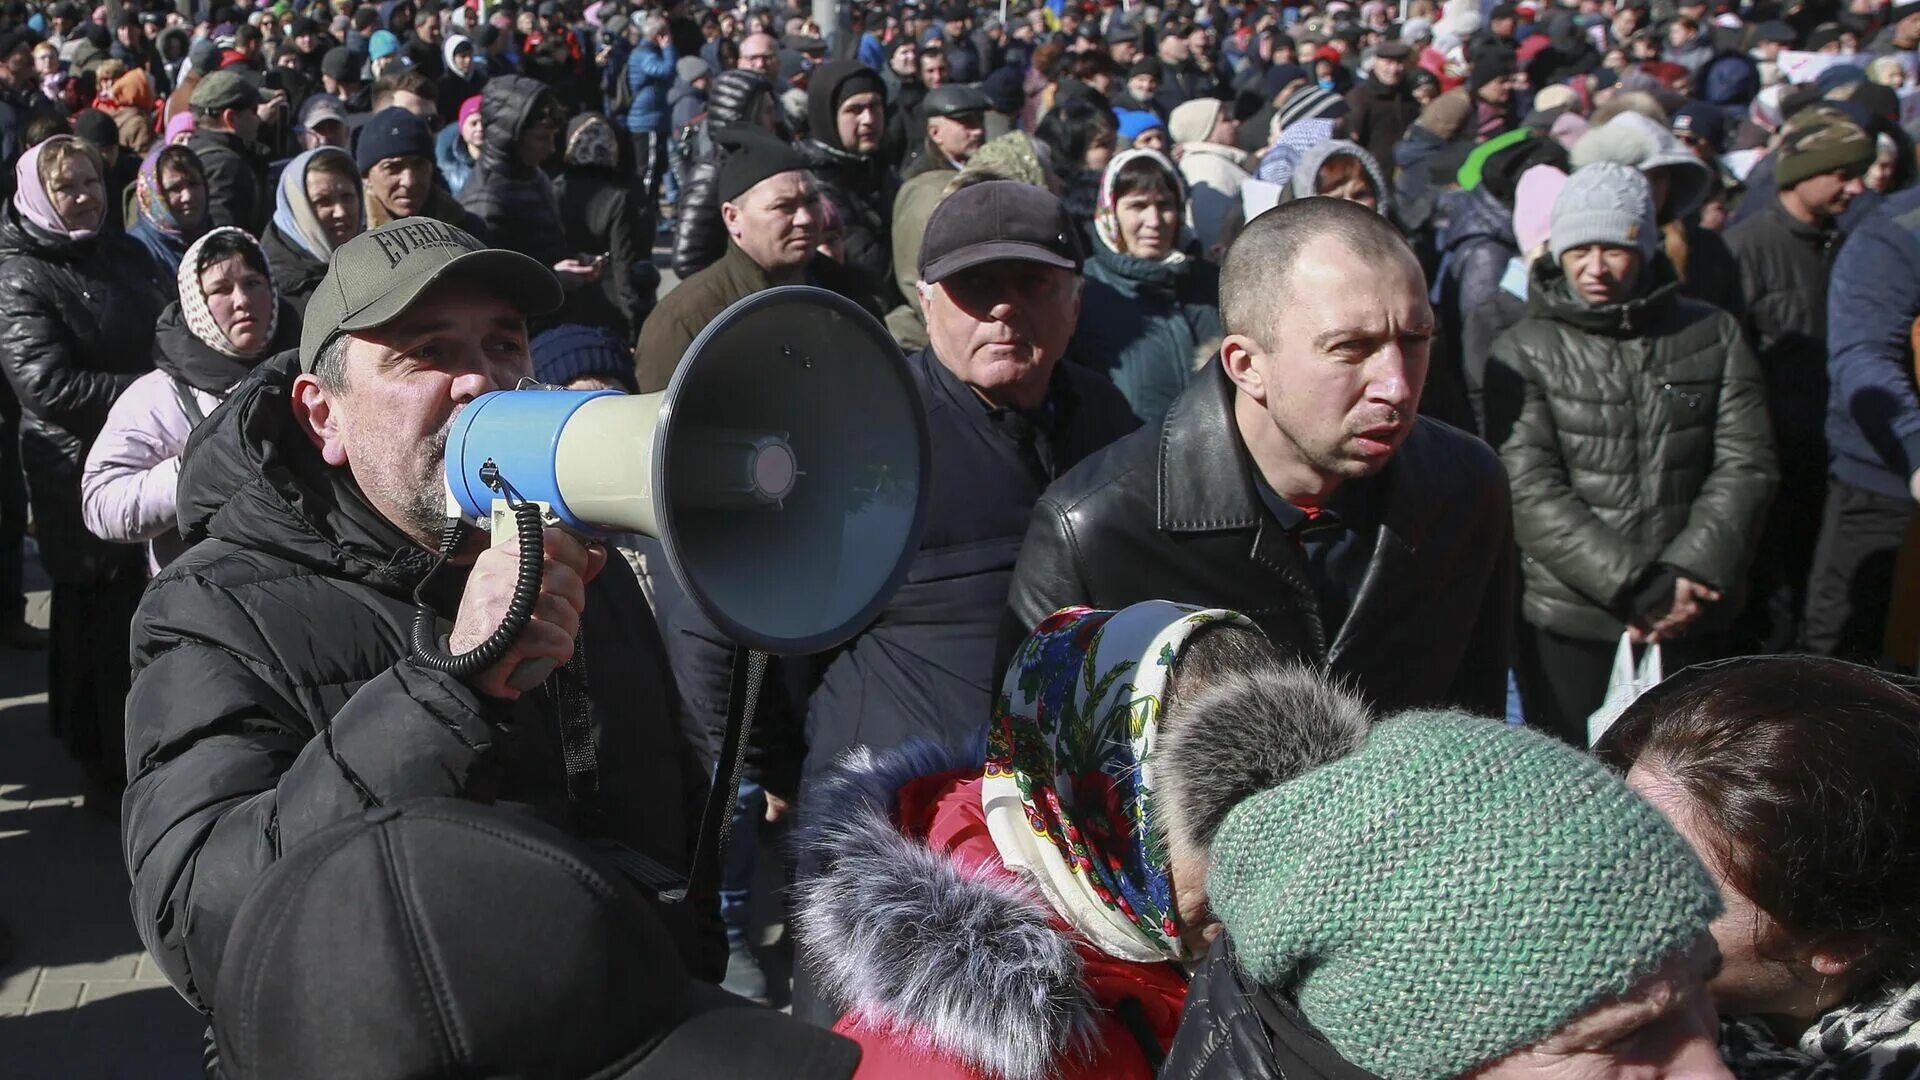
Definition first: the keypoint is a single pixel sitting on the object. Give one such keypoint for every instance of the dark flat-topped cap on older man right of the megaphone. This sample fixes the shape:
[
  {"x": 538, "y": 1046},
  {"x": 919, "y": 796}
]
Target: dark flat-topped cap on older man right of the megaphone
[{"x": 997, "y": 222}]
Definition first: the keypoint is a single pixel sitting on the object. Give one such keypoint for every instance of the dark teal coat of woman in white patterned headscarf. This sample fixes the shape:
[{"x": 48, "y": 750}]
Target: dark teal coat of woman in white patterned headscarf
[{"x": 1147, "y": 326}]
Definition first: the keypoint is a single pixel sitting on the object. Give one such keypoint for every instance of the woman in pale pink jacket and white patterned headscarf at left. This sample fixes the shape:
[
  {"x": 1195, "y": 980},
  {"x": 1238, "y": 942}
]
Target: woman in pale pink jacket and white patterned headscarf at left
[{"x": 228, "y": 320}]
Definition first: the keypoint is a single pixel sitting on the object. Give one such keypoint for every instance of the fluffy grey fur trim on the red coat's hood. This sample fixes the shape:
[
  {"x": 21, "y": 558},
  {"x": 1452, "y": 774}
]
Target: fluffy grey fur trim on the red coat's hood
[{"x": 944, "y": 960}]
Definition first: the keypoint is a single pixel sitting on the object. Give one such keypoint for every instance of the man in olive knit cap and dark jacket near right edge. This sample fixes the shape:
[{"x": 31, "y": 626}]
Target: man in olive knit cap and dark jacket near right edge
[{"x": 1787, "y": 255}]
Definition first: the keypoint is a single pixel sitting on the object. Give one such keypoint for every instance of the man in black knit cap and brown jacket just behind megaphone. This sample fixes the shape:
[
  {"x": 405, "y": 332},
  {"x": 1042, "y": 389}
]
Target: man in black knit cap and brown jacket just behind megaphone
[{"x": 773, "y": 220}]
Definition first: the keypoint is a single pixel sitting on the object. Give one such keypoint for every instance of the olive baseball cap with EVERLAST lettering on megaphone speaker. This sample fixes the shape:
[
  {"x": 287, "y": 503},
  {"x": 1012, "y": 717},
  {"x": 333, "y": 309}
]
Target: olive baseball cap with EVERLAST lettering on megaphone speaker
[{"x": 377, "y": 276}]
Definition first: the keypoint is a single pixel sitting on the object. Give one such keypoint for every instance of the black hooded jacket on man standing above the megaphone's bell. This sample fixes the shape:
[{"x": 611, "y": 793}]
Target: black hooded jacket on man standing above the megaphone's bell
[{"x": 855, "y": 184}]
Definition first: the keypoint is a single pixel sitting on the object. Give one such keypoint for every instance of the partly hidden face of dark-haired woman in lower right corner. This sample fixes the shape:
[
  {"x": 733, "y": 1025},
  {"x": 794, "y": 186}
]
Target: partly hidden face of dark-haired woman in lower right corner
[{"x": 1764, "y": 971}]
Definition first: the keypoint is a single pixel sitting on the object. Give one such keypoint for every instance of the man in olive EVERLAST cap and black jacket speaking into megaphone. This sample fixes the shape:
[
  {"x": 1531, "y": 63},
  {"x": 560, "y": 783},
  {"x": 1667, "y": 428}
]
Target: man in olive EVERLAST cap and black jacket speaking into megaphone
[{"x": 274, "y": 681}]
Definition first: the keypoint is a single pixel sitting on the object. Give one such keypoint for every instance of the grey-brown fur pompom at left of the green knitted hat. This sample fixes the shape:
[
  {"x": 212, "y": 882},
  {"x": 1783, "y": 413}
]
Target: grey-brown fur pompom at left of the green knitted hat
[{"x": 1243, "y": 735}]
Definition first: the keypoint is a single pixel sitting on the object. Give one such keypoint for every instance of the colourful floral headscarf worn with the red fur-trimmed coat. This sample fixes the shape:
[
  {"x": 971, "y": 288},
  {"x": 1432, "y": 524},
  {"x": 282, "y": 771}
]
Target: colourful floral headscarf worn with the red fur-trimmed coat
[{"x": 1068, "y": 787}]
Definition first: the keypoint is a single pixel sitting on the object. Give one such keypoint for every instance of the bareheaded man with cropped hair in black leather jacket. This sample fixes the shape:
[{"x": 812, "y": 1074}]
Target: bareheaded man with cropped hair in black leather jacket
[{"x": 1295, "y": 481}]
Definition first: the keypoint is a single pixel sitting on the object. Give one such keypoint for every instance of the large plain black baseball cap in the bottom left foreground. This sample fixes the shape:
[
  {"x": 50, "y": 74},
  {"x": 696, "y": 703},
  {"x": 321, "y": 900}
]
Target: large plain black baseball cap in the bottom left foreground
[{"x": 452, "y": 939}]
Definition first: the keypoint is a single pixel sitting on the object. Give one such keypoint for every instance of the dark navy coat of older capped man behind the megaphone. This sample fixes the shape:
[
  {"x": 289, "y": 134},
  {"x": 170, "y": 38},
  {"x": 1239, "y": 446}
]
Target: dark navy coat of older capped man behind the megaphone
[{"x": 926, "y": 666}]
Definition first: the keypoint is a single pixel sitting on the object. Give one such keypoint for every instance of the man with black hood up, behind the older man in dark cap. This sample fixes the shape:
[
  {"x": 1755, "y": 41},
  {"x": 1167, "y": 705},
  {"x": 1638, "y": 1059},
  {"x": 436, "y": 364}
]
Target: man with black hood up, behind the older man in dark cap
[{"x": 848, "y": 120}]
